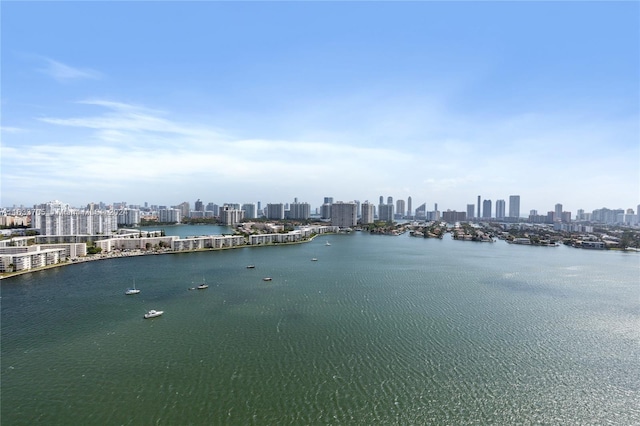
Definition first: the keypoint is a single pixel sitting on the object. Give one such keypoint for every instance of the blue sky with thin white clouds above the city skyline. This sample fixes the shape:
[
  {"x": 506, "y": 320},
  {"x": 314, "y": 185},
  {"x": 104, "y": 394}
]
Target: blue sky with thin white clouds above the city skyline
[{"x": 239, "y": 102}]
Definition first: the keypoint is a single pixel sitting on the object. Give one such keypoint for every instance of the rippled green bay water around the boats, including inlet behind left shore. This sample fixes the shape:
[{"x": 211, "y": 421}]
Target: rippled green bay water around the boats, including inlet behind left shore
[{"x": 379, "y": 330}]
